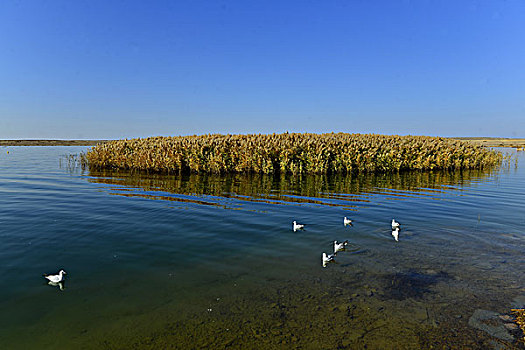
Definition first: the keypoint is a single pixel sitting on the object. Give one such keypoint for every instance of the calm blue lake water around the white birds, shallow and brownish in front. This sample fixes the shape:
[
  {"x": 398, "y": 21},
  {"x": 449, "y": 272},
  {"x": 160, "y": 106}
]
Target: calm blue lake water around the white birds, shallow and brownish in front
[{"x": 188, "y": 262}]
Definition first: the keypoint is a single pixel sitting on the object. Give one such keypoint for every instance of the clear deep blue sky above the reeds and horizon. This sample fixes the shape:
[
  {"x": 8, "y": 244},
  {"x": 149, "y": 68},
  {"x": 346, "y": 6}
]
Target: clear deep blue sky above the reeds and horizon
[{"x": 113, "y": 69}]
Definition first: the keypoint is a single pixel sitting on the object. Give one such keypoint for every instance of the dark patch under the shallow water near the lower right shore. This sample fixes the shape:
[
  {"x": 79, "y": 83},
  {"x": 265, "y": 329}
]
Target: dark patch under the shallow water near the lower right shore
[{"x": 412, "y": 284}]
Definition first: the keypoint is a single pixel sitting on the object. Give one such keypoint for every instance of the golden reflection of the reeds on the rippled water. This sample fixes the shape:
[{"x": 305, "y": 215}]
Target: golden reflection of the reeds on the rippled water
[{"x": 330, "y": 190}]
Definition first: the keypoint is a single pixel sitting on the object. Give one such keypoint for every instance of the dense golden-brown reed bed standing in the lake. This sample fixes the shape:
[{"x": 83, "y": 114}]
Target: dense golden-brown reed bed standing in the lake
[{"x": 290, "y": 153}]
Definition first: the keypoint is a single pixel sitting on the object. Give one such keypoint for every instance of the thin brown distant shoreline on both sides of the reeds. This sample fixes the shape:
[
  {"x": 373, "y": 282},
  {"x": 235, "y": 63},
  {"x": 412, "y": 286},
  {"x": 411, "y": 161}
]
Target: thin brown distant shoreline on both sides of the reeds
[{"x": 483, "y": 141}]
